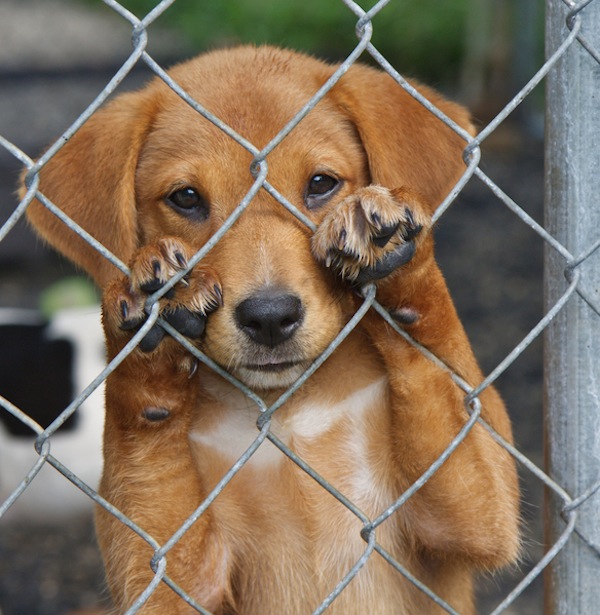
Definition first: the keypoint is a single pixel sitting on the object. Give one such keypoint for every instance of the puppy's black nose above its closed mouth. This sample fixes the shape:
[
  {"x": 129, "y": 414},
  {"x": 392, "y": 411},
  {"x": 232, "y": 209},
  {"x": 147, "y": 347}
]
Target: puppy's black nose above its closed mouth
[{"x": 270, "y": 317}]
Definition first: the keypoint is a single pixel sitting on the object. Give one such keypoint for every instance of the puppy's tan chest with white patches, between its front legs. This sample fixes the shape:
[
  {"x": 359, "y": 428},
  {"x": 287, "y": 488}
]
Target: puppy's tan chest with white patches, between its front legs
[{"x": 295, "y": 527}]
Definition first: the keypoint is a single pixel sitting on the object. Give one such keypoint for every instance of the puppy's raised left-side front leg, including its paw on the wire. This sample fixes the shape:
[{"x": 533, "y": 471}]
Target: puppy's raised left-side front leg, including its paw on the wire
[{"x": 149, "y": 472}]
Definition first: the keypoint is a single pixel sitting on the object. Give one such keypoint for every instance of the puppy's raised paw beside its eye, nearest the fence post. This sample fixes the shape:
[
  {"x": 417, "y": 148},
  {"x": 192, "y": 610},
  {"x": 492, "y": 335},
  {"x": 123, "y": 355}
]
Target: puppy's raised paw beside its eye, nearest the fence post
[{"x": 370, "y": 234}]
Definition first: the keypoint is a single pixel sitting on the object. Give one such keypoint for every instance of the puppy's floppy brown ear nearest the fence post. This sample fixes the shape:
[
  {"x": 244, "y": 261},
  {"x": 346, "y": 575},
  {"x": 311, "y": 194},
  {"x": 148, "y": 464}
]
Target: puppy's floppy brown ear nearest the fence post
[{"x": 406, "y": 145}]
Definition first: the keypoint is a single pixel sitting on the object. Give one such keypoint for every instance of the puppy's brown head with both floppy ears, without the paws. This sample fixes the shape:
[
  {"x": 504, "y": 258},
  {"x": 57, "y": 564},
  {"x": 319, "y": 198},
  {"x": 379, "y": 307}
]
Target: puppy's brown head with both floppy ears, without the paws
[{"x": 148, "y": 165}]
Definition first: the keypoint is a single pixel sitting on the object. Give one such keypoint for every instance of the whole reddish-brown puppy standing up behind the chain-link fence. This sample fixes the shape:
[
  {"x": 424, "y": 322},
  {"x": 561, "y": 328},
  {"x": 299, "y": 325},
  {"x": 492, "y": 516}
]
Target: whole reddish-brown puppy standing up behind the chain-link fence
[{"x": 153, "y": 180}]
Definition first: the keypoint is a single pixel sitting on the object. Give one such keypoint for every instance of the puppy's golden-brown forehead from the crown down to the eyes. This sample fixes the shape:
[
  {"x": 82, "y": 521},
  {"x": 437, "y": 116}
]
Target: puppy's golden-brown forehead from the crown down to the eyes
[{"x": 255, "y": 92}]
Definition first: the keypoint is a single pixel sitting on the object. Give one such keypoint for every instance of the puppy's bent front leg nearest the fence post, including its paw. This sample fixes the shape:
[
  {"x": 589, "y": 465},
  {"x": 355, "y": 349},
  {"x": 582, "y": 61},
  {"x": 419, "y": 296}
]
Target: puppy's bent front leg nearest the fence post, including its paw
[{"x": 468, "y": 509}]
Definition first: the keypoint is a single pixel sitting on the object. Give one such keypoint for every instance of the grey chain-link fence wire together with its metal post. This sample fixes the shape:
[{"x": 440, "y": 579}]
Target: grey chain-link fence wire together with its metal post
[{"x": 571, "y": 316}]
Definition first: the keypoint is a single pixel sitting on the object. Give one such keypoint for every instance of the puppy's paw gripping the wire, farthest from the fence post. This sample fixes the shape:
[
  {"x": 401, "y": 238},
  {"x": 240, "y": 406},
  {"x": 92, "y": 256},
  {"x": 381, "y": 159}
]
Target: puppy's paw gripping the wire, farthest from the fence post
[{"x": 185, "y": 306}]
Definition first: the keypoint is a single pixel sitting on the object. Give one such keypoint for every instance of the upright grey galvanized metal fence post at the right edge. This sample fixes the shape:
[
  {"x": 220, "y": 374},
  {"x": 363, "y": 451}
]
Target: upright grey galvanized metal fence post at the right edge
[{"x": 572, "y": 344}]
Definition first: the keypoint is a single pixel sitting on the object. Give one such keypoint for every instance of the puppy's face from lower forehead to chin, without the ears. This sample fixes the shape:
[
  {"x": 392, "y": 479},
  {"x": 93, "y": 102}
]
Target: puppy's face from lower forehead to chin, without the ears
[{"x": 280, "y": 307}]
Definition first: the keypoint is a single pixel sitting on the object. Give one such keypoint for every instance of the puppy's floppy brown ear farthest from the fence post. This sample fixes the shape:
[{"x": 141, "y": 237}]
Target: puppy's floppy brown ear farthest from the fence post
[{"x": 92, "y": 180}]
